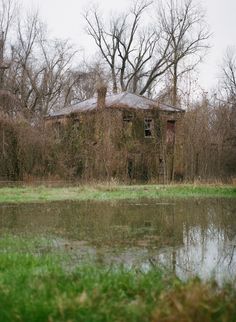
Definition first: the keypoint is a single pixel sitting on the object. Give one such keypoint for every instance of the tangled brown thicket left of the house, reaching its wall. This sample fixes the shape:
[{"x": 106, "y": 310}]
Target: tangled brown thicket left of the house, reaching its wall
[{"x": 34, "y": 152}]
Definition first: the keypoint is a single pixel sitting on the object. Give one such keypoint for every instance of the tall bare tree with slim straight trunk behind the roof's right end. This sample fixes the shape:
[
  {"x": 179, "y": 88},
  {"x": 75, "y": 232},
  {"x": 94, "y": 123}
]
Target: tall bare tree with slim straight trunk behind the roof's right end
[{"x": 184, "y": 24}]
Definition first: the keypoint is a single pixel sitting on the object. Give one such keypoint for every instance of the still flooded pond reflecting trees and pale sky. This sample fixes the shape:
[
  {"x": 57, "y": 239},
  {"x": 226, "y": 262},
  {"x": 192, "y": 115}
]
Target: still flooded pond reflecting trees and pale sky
[{"x": 188, "y": 237}]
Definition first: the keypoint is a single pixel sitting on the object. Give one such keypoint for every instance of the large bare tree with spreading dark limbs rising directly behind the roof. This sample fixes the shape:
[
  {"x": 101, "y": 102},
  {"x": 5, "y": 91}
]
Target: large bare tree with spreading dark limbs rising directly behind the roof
[{"x": 136, "y": 55}]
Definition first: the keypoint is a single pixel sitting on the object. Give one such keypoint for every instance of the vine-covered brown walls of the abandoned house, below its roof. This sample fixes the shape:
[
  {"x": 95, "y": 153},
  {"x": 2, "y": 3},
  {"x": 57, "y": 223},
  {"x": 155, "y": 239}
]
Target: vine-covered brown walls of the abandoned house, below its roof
[{"x": 113, "y": 146}]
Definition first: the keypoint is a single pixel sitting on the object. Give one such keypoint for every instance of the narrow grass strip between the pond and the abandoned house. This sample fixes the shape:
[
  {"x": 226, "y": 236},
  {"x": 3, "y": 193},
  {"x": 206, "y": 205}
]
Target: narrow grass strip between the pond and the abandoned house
[{"x": 113, "y": 192}]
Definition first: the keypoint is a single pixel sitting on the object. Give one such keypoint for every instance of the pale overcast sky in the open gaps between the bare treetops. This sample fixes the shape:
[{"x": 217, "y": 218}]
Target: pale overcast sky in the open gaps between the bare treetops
[{"x": 64, "y": 19}]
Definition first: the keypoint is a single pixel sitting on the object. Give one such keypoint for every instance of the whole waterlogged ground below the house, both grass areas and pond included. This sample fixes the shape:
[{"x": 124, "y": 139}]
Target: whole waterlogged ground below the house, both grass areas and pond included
[{"x": 118, "y": 253}]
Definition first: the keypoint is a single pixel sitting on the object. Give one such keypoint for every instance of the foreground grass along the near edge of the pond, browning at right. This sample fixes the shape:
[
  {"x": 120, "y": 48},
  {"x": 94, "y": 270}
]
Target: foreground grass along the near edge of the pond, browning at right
[{"x": 36, "y": 287}]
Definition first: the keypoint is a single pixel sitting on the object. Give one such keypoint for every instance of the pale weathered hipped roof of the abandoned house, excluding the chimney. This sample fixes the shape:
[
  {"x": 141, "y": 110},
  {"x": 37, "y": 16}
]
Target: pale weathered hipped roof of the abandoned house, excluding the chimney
[{"x": 124, "y": 99}]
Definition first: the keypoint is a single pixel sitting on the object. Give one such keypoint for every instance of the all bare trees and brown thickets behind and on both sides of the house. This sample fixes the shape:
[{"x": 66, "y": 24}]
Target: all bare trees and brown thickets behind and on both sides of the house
[{"x": 39, "y": 74}]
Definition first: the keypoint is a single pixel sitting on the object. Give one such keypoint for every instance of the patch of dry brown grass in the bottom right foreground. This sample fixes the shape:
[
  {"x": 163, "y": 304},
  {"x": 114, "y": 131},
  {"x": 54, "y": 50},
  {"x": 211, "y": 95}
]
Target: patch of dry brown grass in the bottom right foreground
[{"x": 194, "y": 302}]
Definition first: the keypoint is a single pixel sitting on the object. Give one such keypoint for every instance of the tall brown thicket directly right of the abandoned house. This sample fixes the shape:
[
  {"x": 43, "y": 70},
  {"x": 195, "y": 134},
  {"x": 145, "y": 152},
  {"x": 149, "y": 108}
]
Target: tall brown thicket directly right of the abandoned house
[{"x": 210, "y": 141}]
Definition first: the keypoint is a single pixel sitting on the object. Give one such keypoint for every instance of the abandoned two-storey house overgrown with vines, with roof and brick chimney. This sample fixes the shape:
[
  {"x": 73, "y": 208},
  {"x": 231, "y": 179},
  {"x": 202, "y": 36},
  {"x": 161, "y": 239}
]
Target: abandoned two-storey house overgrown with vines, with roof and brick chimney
[{"x": 124, "y": 136}]
